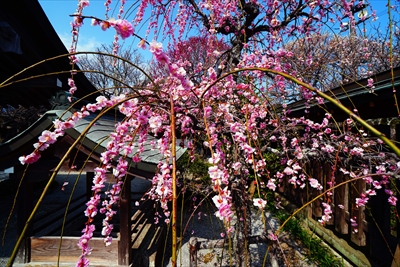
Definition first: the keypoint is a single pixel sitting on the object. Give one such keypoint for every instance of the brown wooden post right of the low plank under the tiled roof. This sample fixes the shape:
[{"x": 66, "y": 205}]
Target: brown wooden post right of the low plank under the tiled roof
[{"x": 124, "y": 245}]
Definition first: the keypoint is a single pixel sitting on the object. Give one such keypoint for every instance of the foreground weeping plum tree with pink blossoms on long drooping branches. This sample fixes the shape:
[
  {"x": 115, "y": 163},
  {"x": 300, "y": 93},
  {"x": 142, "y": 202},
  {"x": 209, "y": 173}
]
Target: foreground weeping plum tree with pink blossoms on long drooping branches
[{"x": 238, "y": 107}]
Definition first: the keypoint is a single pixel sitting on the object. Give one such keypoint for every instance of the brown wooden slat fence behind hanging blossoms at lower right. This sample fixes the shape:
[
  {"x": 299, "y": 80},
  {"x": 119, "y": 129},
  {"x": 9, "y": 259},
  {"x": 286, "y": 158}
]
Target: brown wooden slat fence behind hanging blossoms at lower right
[{"x": 371, "y": 229}]
